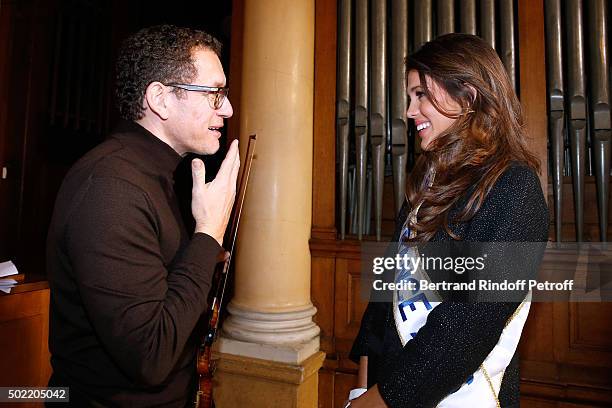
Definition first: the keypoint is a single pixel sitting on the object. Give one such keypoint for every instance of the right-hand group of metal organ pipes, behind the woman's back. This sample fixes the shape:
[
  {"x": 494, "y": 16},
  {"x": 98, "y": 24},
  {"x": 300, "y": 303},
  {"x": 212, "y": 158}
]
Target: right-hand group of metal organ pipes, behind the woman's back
[{"x": 582, "y": 135}]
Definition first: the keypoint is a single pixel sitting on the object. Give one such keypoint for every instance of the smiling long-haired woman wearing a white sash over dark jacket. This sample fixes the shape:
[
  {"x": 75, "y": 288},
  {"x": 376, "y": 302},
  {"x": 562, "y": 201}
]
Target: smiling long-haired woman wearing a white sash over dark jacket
[{"x": 475, "y": 181}]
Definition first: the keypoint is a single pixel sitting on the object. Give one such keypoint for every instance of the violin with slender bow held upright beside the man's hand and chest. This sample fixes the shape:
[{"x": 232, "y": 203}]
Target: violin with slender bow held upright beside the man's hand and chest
[{"x": 204, "y": 363}]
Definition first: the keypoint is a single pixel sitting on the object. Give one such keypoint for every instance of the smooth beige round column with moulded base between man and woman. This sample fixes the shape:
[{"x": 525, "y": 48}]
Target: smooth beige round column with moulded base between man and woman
[{"x": 270, "y": 315}]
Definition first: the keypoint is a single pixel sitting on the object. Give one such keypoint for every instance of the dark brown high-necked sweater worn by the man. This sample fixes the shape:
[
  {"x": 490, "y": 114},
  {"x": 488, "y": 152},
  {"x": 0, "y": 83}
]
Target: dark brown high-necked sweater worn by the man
[{"x": 128, "y": 283}]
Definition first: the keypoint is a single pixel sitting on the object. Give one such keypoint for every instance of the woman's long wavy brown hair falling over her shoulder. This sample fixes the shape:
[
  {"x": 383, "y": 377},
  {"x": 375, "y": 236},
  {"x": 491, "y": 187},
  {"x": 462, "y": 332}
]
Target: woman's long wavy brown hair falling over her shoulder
[{"x": 472, "y": 154}]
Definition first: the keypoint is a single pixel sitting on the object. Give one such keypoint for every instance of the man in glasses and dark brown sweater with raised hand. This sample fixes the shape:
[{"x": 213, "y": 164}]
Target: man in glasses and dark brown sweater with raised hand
[{"x": 128, "y": 283}]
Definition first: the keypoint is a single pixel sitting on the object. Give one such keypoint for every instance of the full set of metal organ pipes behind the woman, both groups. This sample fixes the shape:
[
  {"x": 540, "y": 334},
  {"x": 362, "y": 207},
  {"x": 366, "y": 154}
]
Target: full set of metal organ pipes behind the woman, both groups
[{"x": 374, "y": 136}]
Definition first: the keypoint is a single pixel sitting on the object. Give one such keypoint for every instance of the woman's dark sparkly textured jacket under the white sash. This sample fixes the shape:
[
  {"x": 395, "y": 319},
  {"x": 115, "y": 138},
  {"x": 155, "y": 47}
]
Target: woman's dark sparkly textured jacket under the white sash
[{"x": 457, "y": 336}]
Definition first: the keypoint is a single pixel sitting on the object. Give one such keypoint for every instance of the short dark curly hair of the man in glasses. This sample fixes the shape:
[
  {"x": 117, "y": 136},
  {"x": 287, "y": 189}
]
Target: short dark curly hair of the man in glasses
[{"x": 160, "y": 53}]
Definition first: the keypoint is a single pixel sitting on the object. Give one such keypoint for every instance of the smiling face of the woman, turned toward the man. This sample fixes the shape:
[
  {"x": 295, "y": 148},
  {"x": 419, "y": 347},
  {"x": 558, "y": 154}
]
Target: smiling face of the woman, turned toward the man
[{"x": 430, "y": 122}]
